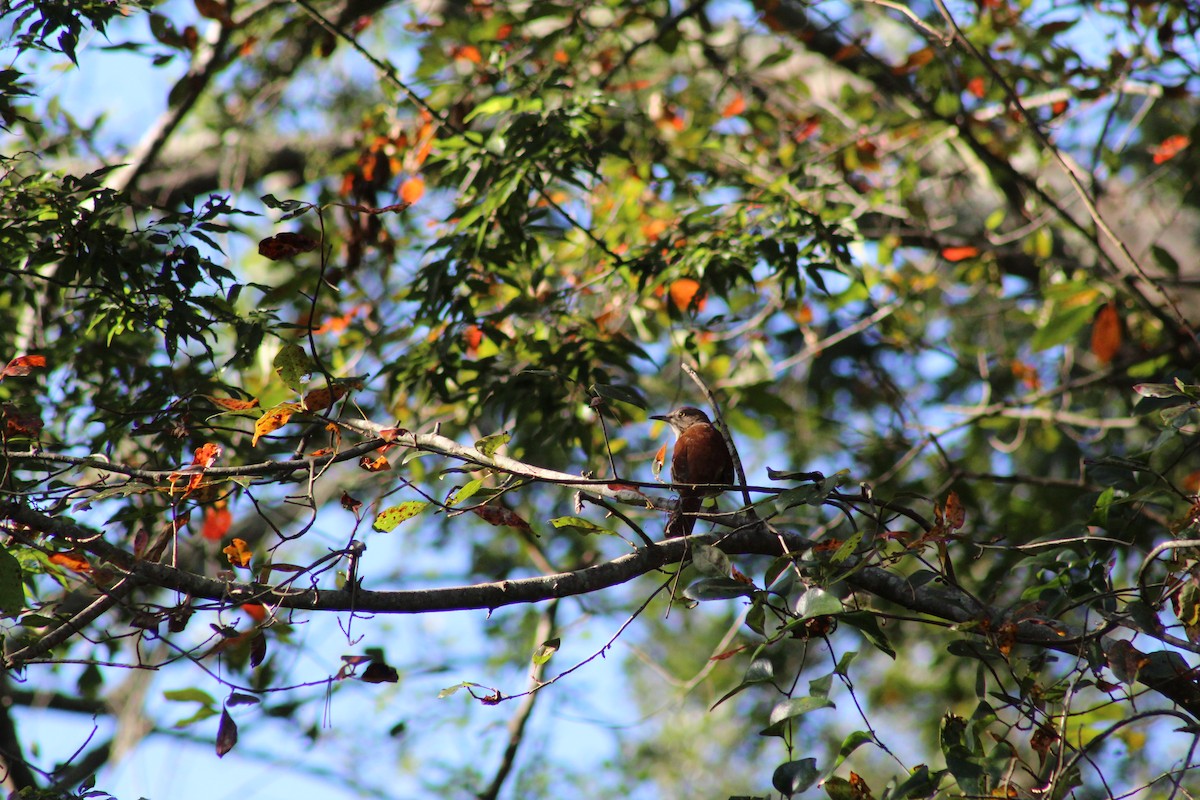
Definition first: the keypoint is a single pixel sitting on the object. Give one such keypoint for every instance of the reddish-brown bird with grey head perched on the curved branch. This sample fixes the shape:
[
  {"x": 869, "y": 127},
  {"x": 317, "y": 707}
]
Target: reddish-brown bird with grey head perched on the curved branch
[{"x": 700, "y": 464}]
